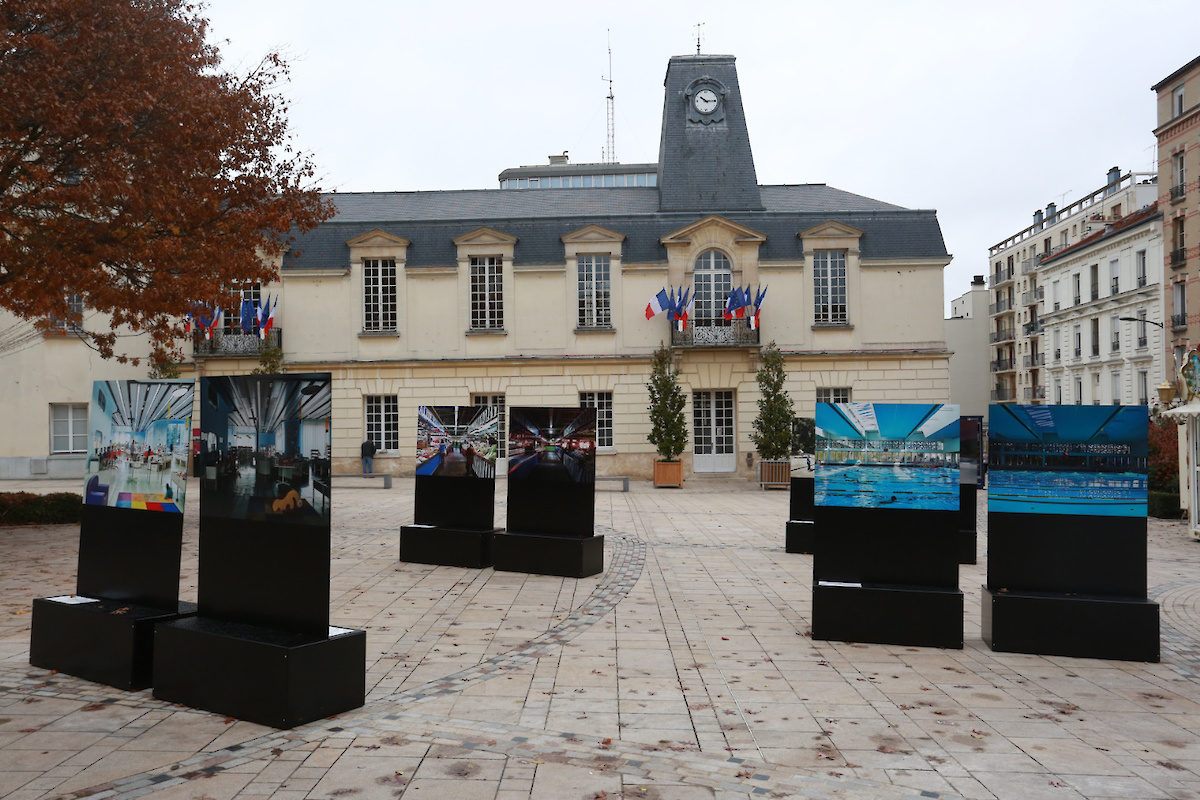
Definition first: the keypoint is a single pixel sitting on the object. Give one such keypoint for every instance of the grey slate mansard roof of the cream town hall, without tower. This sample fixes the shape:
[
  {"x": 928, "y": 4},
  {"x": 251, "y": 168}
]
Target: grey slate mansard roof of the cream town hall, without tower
[{"x": 541, "y": 218}]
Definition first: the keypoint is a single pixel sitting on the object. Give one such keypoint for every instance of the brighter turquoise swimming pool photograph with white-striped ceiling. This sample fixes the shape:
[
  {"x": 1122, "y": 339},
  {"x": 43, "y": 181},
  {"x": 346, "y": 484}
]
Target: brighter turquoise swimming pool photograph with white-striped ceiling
[{"x": 889, "y": 455}]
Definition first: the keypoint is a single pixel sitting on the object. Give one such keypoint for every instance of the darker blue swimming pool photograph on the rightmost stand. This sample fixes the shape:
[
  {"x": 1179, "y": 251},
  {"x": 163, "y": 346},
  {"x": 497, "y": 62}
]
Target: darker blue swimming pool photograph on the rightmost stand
[{"x": 1069, "y": 460}]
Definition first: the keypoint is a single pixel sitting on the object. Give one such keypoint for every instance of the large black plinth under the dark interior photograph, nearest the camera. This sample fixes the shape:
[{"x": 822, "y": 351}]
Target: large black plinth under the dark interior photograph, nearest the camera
[{"x": 260, "y": 675}]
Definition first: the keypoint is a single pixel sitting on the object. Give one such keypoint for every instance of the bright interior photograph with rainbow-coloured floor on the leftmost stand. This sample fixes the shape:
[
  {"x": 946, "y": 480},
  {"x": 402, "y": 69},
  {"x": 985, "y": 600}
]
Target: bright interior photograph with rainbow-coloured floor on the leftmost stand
[{"x": 137, "y": 449}]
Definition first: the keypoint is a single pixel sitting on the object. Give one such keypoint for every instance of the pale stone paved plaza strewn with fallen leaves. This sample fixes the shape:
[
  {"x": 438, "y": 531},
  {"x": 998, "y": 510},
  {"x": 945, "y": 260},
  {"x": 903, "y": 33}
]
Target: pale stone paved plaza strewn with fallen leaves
[{"x": 685, "y": 672}]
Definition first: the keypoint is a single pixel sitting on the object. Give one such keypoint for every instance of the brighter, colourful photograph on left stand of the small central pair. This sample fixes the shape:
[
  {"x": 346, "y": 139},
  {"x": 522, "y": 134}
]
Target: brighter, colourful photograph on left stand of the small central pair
[{"x": 458, "y": 441}]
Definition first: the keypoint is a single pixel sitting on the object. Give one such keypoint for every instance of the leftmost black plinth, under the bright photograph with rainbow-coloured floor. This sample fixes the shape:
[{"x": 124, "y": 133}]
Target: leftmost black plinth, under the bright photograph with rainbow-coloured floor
[{"x": 104, "y": 641}]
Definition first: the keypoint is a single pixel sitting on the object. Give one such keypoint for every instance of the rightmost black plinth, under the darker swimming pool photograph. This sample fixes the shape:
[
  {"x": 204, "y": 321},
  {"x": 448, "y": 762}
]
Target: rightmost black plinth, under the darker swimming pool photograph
[{"x": 1084, "y": 627}]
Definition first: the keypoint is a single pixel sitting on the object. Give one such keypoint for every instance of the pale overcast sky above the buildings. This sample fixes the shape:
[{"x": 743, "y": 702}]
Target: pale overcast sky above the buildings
[{"x": 982, "y": 111}]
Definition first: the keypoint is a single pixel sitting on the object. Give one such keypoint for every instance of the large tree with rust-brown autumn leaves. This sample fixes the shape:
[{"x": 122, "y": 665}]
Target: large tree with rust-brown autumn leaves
[{"x": 136, "y": 173}]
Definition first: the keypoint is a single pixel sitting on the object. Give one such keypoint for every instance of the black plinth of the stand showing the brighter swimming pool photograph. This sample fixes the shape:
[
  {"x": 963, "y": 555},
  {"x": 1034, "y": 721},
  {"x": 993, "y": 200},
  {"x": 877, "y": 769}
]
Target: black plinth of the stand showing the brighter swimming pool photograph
[{"x": 889, "y": 615}]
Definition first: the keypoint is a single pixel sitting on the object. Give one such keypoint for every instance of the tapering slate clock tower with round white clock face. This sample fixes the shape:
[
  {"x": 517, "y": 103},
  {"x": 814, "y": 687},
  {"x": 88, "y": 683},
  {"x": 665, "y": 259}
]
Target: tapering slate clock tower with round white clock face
[{"x": 705, "y": 159}]
